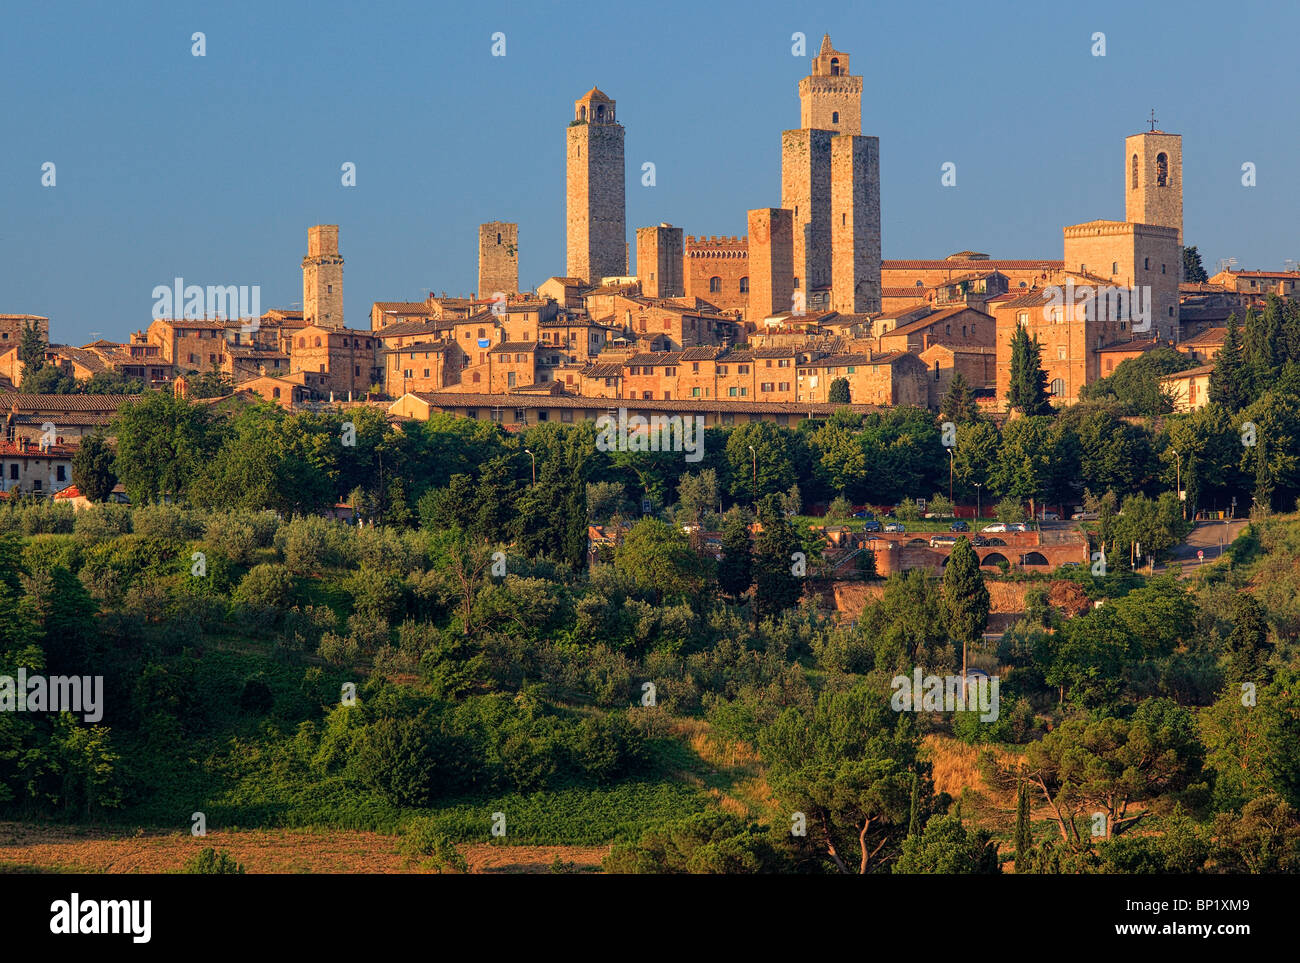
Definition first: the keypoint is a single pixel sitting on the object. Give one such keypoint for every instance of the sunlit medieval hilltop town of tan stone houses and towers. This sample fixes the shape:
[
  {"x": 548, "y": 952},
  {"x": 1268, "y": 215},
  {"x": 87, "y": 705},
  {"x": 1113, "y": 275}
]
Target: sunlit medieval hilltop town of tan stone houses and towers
[{"x": 725, "y": 328}]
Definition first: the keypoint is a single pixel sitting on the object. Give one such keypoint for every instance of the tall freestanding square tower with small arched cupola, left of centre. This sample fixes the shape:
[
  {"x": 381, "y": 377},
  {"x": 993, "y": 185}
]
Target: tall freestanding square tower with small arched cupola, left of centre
[{"x": 596, "y": 236}]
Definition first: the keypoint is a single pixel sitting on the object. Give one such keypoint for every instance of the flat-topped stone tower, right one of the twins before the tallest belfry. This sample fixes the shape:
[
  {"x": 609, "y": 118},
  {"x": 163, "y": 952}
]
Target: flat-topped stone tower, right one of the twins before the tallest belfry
[{"x": 856, "y": 225}]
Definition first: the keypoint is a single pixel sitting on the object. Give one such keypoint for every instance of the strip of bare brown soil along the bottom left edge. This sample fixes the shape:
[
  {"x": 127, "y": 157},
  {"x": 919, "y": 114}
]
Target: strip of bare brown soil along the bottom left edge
[{"x": 261, "y": 851}]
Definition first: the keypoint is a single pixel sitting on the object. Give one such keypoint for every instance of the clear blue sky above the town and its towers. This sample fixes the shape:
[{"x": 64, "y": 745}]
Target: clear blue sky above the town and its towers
[{"x": 213, "y": 168}]
